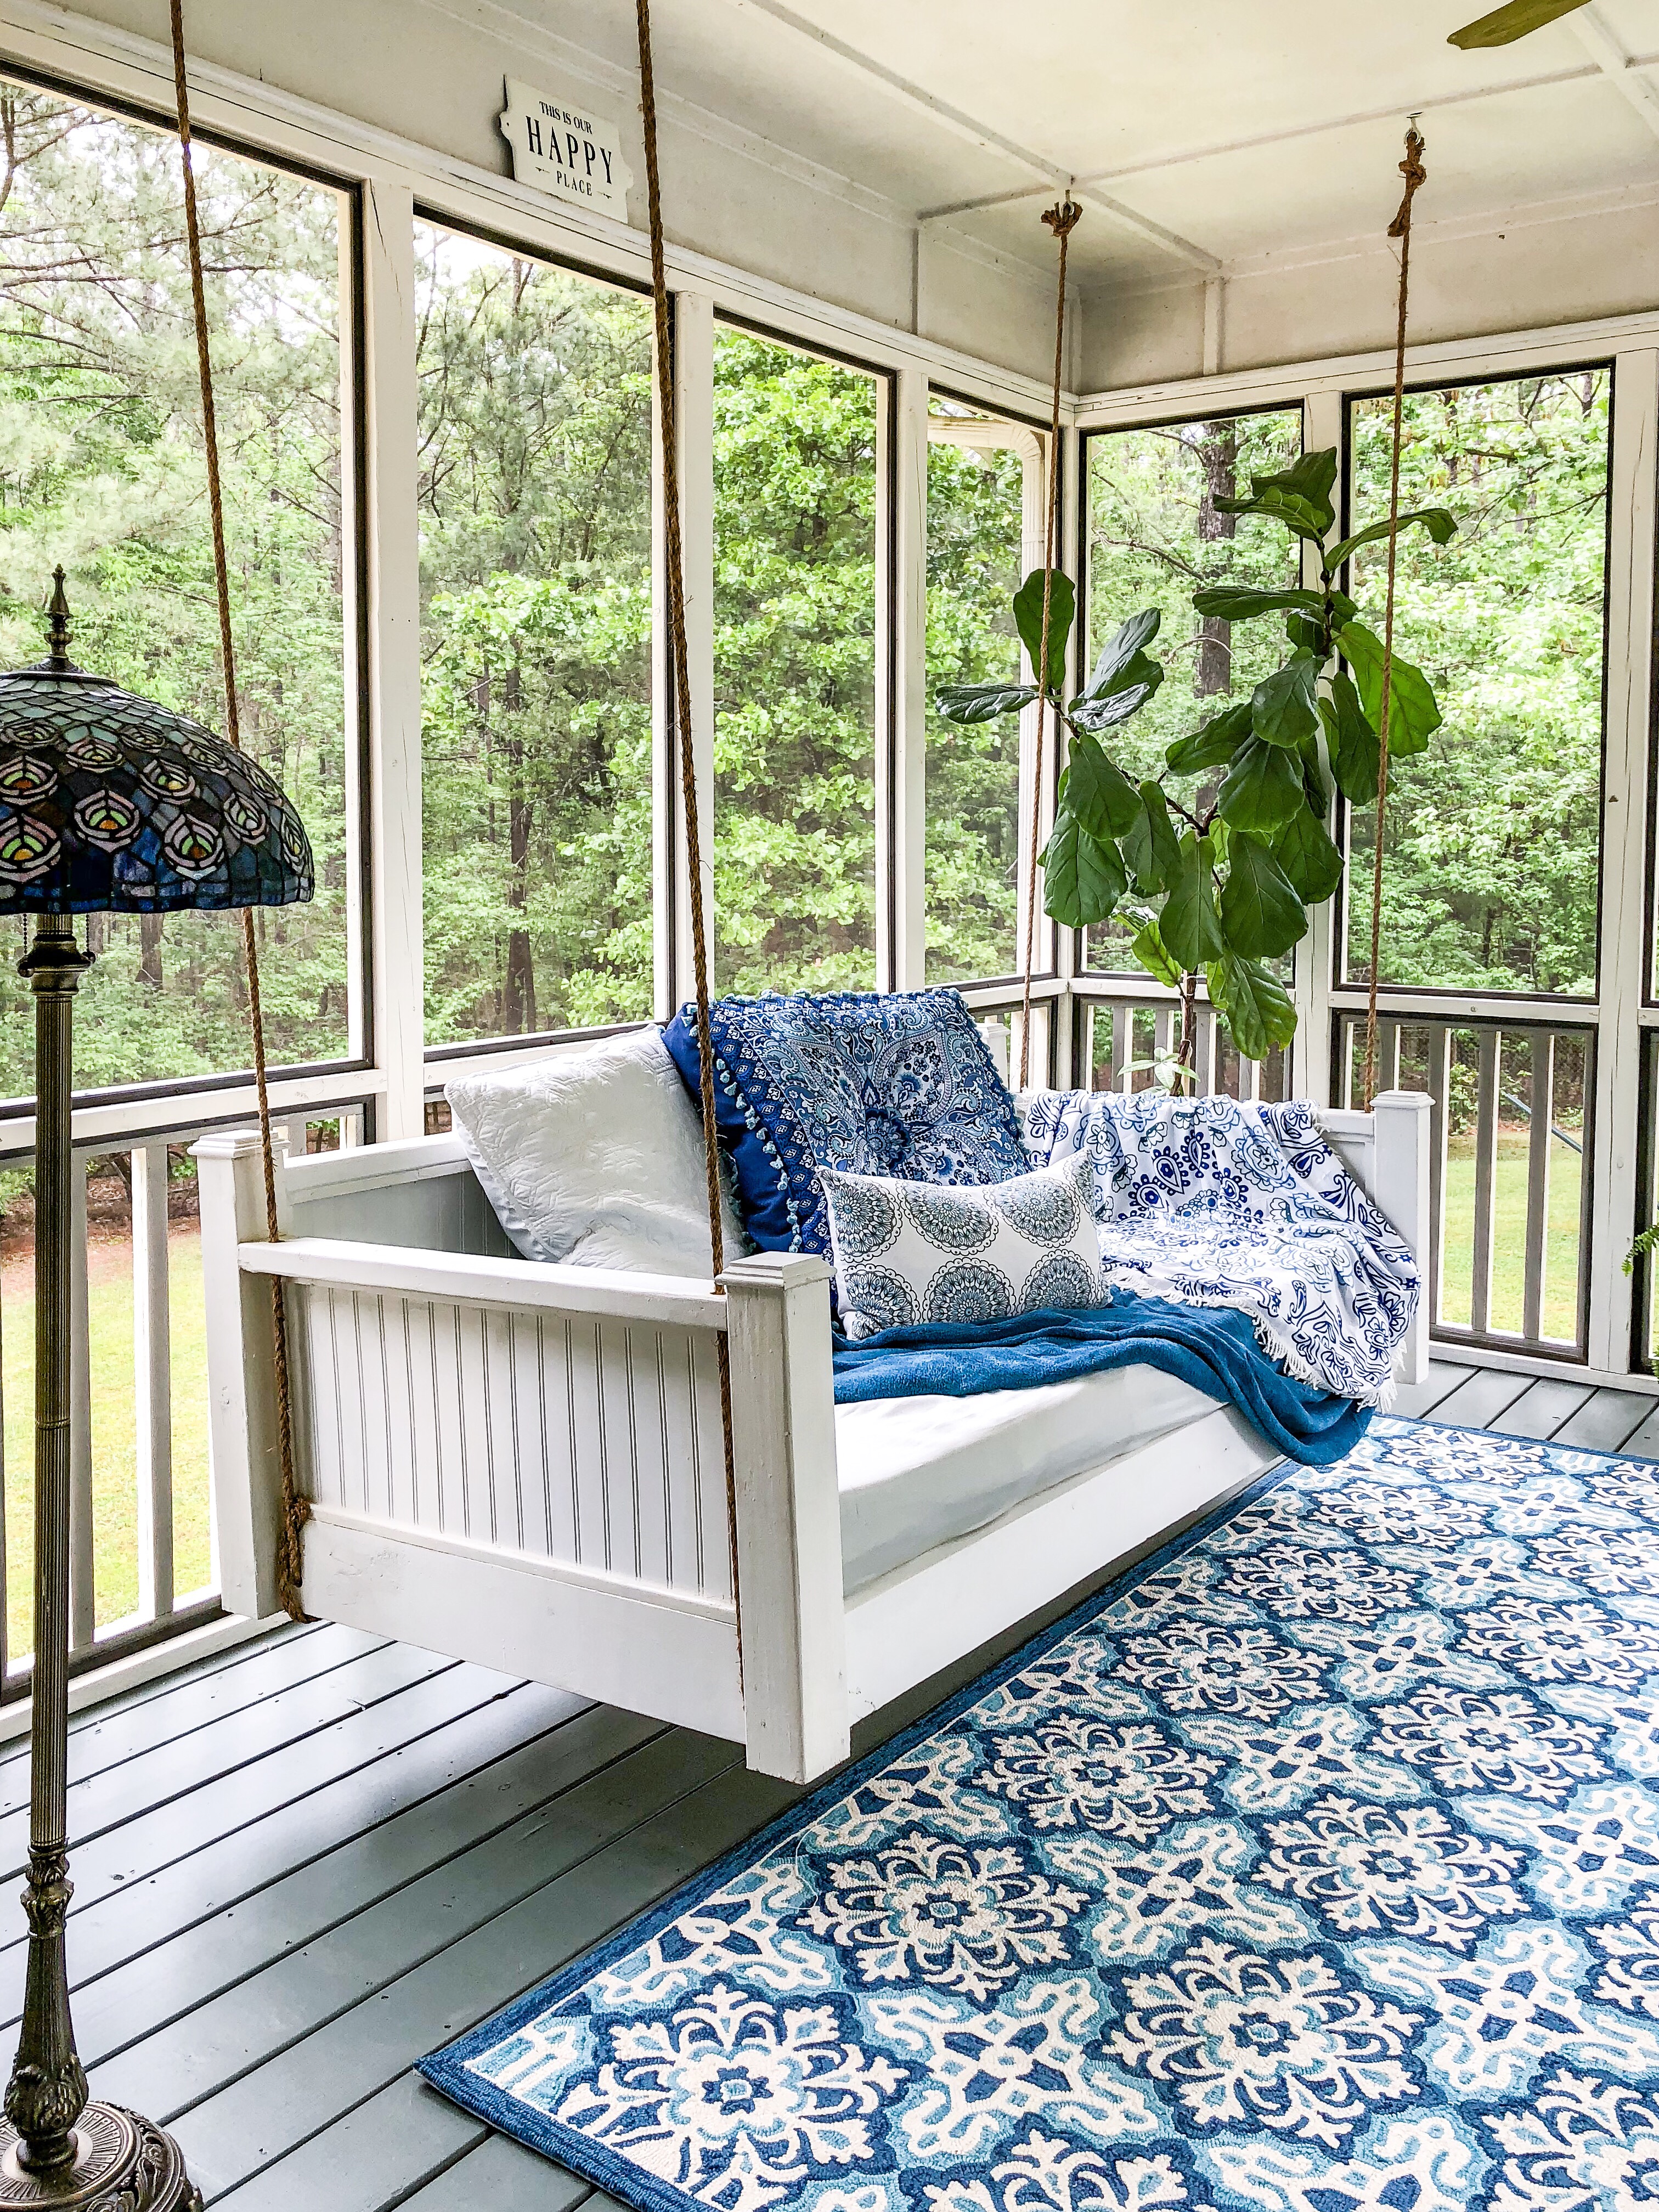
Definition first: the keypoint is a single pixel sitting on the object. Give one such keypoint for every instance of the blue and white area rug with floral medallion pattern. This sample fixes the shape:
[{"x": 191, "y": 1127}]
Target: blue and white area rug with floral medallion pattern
[{"x": 1311, "y": 1870}]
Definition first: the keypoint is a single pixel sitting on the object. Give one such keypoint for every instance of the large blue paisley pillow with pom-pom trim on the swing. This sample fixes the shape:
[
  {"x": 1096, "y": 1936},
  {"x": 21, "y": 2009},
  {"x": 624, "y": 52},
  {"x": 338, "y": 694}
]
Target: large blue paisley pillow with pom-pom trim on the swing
[{"x": 862, "y": 1081}]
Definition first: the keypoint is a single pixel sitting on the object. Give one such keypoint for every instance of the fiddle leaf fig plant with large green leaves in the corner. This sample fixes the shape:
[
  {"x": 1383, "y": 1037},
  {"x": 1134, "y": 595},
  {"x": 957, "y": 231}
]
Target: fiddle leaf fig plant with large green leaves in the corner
[{"x": 1215, "y": 864}]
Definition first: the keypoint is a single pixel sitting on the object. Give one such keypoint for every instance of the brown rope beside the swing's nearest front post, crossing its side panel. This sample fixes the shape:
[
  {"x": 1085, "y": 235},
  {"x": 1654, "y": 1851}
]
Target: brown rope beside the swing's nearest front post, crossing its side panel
[{"x": 682, "y": 731}]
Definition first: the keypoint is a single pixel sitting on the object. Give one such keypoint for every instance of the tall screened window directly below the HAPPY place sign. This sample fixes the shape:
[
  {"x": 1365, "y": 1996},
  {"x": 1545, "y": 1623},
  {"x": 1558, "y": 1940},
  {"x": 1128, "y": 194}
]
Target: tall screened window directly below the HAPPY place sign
[{"x": 534, "y": 645}]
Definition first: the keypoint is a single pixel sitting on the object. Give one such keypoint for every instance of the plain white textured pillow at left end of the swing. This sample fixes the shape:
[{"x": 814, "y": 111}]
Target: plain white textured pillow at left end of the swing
[{"x": 594, "y": 1158}]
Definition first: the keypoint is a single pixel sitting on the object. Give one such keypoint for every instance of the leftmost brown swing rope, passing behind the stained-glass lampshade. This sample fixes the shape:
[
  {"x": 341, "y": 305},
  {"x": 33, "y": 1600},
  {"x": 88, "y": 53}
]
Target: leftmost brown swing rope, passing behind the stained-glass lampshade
[{"x": 291, "y": 1561}]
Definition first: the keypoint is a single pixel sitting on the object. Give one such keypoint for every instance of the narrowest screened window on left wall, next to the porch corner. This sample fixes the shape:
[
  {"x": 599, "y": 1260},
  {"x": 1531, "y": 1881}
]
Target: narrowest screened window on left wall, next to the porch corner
[{"x": 983, "y": 508}]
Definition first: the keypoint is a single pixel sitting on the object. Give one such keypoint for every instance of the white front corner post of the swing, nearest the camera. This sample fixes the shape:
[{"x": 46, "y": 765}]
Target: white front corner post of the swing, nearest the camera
[{"x": 789, "y": 1516}]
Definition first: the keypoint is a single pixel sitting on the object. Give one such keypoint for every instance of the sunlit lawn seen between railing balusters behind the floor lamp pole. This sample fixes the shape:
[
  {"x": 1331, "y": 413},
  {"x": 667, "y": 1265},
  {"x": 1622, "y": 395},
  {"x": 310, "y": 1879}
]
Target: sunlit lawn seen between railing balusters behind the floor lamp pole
[{"x": 114, "y": 1419}]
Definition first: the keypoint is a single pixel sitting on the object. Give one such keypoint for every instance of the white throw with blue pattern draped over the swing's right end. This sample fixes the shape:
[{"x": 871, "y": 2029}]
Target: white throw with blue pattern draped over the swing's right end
[{"x": 1209, "y": 1202}]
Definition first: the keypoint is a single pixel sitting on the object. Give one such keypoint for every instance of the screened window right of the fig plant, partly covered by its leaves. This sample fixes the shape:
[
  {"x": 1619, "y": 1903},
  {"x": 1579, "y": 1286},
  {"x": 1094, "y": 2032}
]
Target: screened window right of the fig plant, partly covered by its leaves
[{"x": 1492, "y": 846}]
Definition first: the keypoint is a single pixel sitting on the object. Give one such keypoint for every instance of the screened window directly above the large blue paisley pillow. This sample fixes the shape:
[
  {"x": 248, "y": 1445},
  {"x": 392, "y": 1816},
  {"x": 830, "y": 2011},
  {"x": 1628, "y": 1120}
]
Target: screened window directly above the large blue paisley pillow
[{"x": 795, "y": 669}]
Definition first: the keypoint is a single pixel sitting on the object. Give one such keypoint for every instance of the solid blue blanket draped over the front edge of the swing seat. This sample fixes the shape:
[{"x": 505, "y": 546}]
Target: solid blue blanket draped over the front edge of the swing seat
[{"x": 1211, "y": 1348}]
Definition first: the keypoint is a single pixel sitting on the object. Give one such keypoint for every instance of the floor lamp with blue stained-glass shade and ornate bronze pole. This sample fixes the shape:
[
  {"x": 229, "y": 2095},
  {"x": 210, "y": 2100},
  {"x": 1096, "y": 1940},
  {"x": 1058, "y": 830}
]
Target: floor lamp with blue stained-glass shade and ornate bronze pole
[{"x": 109, "y": 804}]
